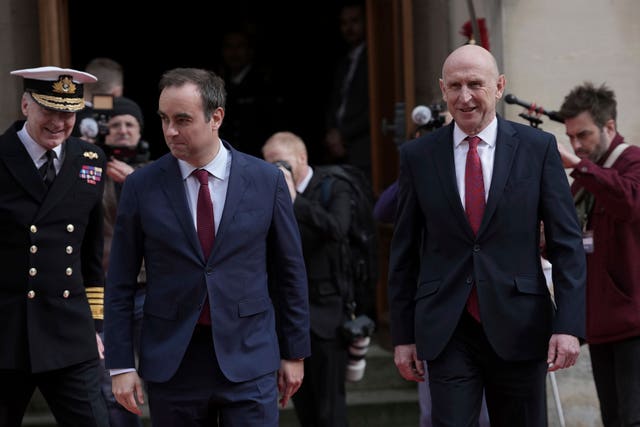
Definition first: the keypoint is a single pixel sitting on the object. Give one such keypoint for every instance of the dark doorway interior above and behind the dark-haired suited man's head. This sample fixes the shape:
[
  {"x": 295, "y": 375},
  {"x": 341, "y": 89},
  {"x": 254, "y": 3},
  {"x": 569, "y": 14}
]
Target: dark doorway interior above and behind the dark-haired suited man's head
[{"x": 298, "y": 39}]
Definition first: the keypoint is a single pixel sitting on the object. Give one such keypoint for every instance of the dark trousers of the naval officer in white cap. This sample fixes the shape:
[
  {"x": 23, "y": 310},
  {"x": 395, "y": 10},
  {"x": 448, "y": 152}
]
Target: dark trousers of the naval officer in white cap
[{"x": 72, "y": 393}]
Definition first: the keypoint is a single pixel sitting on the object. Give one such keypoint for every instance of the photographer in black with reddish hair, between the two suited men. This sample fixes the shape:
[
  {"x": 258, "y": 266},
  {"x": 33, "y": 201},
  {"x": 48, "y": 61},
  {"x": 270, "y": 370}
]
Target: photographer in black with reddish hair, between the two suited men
[{"x": 321, "y": 400}]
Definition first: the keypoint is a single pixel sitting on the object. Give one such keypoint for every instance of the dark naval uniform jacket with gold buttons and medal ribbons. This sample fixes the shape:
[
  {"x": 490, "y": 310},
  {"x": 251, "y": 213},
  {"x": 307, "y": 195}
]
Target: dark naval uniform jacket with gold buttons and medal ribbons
[{"x": 51, "y": 287}]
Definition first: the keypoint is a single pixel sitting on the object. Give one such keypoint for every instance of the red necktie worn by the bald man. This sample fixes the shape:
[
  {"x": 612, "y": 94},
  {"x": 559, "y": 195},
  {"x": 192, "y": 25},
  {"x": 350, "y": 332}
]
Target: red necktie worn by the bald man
[{"x": 474, "y": 206}]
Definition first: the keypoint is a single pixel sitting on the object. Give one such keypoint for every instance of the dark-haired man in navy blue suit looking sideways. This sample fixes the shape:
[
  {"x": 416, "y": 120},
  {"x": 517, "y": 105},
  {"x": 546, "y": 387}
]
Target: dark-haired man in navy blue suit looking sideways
[{"x": 222, "y": 333}]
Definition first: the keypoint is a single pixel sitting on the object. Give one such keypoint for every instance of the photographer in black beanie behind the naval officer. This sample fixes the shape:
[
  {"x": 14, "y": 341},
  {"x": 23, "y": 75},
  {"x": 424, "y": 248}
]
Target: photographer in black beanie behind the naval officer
[{"x": 126, "y": 151}]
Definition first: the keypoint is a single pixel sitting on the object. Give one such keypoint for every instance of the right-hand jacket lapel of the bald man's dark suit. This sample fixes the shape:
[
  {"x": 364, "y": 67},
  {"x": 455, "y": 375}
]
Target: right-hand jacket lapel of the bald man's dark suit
[{"x": 506, "y": 145}]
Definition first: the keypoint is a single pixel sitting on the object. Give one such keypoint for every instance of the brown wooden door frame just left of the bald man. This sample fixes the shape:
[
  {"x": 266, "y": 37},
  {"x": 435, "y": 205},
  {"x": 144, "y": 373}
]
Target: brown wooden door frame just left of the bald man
[{"x": 391, "y": 88}]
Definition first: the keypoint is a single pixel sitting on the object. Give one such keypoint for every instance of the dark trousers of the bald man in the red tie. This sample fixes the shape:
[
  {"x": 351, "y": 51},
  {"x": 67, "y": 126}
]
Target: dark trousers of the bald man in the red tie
[{"x": 515, "y": 391}]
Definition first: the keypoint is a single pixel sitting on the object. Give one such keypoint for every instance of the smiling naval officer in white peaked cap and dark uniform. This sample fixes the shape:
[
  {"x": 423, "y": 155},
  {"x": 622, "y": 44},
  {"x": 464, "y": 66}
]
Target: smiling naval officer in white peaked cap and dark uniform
[{"x": 51, "y": 221}]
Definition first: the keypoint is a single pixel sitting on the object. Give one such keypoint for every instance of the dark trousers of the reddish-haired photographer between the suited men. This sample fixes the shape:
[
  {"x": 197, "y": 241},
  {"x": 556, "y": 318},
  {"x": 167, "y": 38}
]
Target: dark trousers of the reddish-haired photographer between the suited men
[{"x": 321, "y": 400}]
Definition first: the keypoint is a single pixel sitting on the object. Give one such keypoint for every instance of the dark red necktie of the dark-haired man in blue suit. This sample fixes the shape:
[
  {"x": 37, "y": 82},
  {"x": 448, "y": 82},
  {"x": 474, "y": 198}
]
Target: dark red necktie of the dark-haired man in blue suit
[{"x": 206, "y": 230}]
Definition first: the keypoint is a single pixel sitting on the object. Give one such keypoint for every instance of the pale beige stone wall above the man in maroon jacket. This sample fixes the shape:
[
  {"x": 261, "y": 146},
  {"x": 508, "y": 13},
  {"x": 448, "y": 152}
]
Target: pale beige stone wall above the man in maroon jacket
[{"x": 551, "y": 46}]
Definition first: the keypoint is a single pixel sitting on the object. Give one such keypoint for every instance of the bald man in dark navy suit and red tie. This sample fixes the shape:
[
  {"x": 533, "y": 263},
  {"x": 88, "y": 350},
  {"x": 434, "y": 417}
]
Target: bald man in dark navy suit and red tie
[{"x": 466, "y": 288}]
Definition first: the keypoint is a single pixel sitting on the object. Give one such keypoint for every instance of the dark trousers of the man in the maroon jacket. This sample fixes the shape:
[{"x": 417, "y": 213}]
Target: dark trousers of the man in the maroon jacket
[{"x": 616, "y": 374}]
